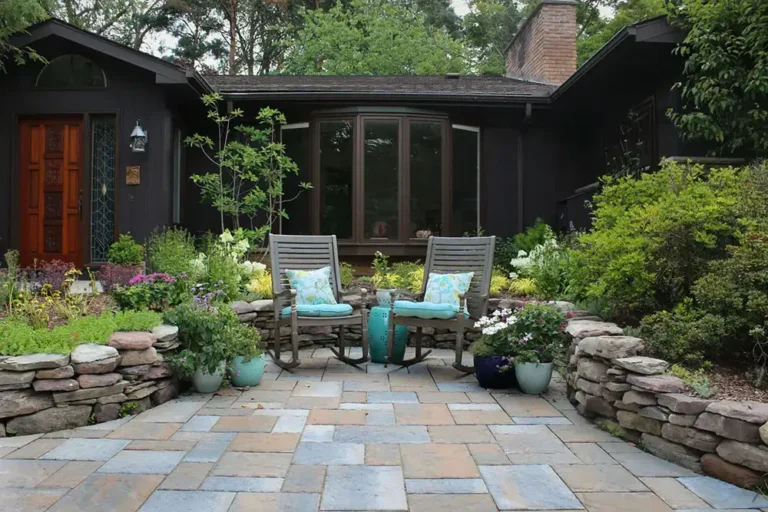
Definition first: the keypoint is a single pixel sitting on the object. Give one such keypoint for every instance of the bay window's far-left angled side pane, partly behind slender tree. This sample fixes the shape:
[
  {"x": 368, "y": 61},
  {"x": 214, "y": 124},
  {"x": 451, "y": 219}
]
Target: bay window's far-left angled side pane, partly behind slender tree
[{"x": 296, "y": 199}]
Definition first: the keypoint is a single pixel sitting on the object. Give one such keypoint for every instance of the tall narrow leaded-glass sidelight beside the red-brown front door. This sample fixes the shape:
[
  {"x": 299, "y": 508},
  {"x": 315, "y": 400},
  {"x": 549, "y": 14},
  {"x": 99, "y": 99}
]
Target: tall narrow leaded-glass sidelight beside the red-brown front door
[{"x": 102, "y": 187}]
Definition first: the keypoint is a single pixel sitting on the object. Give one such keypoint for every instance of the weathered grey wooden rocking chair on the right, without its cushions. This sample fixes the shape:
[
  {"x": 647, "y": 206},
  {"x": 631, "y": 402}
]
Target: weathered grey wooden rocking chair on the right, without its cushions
[{"x": 451, "y": 256}]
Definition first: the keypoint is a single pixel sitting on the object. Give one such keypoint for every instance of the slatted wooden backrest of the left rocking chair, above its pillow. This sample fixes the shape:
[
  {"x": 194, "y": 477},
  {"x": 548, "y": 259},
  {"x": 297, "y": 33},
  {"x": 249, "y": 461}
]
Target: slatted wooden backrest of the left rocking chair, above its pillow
[{"x": 303, "y": 252}]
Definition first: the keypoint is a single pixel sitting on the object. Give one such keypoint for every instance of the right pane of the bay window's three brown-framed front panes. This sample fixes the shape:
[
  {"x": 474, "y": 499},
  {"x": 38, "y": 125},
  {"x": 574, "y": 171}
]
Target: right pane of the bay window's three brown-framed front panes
[{"x": 426, "y": 165}]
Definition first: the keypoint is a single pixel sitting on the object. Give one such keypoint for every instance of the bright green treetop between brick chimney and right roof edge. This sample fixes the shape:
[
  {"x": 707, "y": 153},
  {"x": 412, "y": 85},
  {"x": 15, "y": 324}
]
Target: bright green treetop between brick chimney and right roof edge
[{"x": 602, "y": 30}]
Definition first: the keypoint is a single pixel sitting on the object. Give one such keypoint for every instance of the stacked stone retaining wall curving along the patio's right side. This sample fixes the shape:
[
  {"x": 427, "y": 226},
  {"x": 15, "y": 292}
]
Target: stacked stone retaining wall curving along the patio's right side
[{"x": 630, "y": 395}]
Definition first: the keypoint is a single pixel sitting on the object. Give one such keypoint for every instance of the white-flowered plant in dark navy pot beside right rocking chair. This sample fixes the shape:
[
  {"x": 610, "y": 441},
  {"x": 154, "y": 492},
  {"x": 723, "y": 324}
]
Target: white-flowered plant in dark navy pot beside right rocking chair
[{"x": 493, "y": 351}]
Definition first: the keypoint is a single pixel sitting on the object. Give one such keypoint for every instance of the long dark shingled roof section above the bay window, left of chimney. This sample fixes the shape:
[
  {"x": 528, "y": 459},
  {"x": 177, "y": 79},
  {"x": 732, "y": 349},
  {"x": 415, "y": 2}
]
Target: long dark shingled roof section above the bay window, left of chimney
[{"x": 424, "y": 87}]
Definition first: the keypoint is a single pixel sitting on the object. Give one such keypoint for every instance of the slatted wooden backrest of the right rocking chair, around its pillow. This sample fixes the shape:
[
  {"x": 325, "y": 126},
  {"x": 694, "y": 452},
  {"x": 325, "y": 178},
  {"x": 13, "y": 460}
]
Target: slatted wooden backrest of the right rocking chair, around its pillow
[{"x": 446, "y": 255}]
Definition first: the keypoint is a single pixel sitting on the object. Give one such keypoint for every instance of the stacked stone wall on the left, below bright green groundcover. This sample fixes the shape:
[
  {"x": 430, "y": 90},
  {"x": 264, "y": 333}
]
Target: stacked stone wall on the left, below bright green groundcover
[{"x": 95, "y": 383}]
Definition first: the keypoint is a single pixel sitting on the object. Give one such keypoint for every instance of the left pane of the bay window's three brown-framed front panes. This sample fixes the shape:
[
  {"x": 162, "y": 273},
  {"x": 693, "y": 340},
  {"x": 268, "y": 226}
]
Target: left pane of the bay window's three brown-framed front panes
[{"x": 336, "y": 178}]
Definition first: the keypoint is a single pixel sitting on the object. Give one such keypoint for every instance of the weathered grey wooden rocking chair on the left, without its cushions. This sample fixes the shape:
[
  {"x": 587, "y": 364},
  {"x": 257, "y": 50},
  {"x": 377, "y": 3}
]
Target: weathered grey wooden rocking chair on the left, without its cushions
[{"x": 289, "y": 252}]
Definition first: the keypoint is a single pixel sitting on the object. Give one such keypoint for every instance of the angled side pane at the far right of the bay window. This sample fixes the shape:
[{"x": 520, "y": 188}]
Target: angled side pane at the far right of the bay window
[{"x": 464, "y": 181}]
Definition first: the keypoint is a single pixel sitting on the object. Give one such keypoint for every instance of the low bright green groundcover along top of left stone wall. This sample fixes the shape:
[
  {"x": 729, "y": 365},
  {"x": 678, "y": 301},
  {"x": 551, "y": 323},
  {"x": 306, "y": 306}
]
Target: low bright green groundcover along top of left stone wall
[{"x": 18, "y": 338}]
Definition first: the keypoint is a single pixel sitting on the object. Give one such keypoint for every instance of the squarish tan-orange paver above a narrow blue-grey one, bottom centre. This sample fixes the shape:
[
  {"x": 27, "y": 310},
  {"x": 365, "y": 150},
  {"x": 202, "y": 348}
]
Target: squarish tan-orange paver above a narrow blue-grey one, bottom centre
[{"x": 438, "y": 461}]
